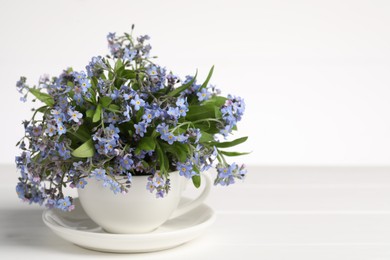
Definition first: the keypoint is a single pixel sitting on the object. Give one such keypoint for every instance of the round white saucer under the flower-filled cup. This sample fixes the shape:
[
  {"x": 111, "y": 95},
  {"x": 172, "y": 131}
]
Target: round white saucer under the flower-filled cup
[{"x": 78, "y": 228}]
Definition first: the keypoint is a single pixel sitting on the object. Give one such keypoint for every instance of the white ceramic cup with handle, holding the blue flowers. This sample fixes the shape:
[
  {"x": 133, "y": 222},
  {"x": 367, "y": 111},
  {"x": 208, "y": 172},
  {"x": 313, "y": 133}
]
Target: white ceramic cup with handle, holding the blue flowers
[{"x": 138, "y": 211}]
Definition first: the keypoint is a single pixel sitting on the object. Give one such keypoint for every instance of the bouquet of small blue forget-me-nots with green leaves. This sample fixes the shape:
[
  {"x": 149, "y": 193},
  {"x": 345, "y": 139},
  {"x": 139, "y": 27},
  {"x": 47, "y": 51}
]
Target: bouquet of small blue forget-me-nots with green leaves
[{"x": 124, "y": 116}]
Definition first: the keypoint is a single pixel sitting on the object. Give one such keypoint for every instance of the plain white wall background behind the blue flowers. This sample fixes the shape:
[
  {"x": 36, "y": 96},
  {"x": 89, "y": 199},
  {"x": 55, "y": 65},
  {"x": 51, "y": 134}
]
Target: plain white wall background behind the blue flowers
[{"x": 314, "y": 74}]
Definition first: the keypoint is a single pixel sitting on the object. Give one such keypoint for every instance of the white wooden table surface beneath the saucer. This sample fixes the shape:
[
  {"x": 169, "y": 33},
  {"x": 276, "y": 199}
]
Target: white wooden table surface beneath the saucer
[{"x": 276, "y": 213}]
